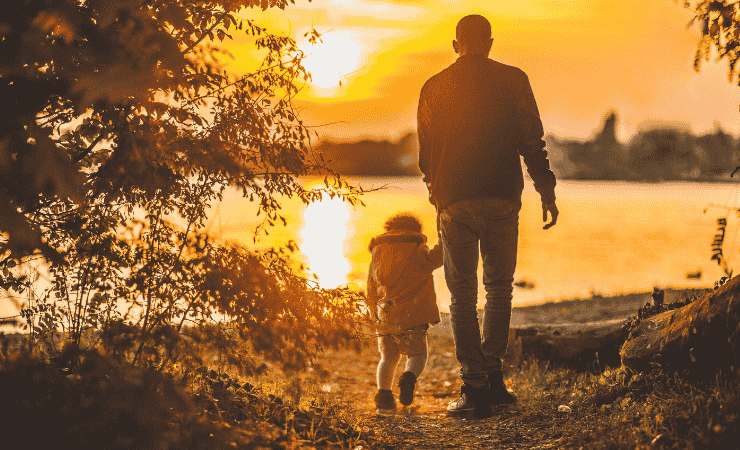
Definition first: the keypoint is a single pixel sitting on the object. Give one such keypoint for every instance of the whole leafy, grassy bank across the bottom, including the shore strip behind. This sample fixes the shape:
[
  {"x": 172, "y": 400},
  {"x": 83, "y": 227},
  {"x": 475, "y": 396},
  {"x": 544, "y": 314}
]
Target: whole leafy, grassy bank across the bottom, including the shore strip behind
[{"x": 104, "y": 404}]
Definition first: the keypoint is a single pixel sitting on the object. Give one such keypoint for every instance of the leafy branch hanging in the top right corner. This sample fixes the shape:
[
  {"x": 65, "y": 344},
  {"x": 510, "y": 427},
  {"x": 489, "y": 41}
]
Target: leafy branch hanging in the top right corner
[{"x": 719, "y": 22}]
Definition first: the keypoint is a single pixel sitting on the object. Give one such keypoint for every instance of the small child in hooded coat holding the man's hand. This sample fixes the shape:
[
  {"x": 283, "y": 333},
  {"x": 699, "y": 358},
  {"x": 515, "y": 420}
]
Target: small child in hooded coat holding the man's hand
[{"x": 400, "y": 293}]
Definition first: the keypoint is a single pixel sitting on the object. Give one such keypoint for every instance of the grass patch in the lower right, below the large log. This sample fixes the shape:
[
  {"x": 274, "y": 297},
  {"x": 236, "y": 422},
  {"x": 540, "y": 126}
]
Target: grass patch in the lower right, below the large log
[{"x": 615, "y": 409}]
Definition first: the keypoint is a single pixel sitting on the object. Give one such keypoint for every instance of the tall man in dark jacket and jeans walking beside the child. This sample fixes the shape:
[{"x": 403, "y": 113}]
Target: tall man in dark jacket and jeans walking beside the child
[{"x": 476, "y": 118}]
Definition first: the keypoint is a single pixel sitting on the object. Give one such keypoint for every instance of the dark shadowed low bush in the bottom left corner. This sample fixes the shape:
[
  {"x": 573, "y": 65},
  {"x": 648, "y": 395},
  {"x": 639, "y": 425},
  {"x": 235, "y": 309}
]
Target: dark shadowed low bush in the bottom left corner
[{"x": 97, "y": 403}]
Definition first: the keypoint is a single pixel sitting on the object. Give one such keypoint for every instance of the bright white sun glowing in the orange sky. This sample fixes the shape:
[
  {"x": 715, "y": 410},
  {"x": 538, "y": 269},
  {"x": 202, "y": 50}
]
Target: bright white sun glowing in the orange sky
[{"x": 332, "y": 59}]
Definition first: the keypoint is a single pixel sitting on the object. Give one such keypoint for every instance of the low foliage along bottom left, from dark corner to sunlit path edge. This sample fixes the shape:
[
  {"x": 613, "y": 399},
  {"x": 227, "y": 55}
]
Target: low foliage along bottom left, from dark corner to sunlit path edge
[{"x": 92, "y": 401}]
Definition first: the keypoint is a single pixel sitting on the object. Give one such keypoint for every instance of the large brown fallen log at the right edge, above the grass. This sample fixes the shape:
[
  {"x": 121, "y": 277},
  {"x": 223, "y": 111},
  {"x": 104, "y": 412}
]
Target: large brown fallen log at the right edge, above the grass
[{"x": 701, "y": 336}]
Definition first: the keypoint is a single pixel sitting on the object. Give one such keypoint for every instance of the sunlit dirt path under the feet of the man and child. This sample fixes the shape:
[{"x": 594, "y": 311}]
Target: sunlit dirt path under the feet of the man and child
[{"x": 525, "y": 425}]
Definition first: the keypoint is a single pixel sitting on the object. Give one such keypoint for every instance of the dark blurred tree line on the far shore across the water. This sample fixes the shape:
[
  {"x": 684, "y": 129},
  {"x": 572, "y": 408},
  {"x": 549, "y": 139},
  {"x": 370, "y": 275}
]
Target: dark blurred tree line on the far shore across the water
[{"x": 652, "y": 154}]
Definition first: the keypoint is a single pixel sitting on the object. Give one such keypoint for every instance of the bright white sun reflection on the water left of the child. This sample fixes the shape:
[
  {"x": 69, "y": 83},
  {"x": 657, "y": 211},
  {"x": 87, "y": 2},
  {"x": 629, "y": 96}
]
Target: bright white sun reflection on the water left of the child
[{"x": 322, "y": 241}]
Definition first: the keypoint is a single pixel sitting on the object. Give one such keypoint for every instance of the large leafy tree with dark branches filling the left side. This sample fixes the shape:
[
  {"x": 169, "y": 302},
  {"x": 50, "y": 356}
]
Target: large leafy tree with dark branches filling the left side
[{"x": 120, "y": 128}]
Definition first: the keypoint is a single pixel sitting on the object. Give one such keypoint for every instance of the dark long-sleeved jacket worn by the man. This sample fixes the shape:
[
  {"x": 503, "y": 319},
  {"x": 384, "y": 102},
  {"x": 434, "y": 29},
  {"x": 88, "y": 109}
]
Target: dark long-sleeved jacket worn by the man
[{"x": 475, "y": 119}]
